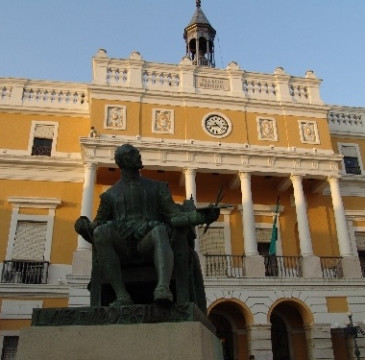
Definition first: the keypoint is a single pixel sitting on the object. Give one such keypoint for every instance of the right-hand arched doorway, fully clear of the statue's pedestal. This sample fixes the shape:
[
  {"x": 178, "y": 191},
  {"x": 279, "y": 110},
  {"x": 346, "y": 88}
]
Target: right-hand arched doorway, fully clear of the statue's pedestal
[{"x": 288, "y": 335}]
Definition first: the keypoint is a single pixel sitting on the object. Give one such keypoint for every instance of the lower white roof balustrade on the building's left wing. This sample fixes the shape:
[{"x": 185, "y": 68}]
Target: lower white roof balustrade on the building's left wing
[{"x": 43, "y": 95}]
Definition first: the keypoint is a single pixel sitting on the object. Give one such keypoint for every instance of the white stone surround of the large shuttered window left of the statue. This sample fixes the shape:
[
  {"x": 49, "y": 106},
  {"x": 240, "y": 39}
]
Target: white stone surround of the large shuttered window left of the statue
[{"x": 18, "y": 202}]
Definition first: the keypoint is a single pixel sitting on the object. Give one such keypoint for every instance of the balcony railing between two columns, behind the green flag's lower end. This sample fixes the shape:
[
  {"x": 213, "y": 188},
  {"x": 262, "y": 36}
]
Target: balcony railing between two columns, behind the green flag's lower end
[{"x": 282, "y": 266}]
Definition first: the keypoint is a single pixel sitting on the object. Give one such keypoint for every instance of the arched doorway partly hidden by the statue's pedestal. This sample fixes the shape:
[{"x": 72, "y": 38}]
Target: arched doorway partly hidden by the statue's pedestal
[{"x": 229, "y": 320}]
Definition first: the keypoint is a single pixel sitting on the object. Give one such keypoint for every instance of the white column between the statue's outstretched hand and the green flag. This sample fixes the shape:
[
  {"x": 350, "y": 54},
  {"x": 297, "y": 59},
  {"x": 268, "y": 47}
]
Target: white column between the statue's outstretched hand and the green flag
[{"x": 248, "y": 218}]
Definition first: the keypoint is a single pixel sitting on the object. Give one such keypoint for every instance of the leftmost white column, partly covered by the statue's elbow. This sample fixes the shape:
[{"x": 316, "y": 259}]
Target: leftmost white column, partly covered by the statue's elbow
[{"x": 87, "y": 200}]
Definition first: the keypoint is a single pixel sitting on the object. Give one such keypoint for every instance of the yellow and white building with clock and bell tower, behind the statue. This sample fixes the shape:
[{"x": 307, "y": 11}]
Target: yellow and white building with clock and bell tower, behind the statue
[{"x": 261, "y": 137}]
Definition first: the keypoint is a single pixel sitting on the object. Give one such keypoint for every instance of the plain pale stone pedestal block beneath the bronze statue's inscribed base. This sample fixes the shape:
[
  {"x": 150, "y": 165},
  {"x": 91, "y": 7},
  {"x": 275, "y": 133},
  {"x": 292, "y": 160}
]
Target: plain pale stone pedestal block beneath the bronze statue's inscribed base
[{"x": 162, "y": 341}]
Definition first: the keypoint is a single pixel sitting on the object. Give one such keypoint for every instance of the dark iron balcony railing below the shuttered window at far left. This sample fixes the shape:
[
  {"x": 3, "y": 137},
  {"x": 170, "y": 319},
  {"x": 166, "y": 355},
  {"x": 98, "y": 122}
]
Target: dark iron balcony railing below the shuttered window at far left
[{"x": 25, "y": 272}]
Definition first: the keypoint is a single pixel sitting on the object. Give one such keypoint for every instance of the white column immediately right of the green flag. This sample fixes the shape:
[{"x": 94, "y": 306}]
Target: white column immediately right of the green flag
[{"x": 301, "y": 209}]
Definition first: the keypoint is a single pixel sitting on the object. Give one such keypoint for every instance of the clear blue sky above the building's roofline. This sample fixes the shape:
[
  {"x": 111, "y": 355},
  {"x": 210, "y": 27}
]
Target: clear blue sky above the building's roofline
[{"x": 55, "y": 40}]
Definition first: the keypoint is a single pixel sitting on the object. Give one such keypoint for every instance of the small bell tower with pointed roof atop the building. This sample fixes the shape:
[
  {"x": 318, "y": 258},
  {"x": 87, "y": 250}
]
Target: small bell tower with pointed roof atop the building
[{"x": 199, "y": 39}]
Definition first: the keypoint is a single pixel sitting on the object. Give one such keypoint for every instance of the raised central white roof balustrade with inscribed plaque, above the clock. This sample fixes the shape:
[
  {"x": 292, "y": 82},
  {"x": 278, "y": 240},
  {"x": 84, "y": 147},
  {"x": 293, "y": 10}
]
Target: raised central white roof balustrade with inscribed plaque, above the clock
[{"x": 187, "y": 78}]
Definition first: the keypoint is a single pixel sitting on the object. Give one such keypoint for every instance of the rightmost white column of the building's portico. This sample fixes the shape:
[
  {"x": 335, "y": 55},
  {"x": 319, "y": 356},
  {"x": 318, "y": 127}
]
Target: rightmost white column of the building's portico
[{"x": 340, "y": 218}]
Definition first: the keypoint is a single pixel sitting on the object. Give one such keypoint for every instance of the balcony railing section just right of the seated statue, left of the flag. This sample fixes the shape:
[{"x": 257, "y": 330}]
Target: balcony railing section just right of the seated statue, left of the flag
[{"x": 231, "y": 266}]
